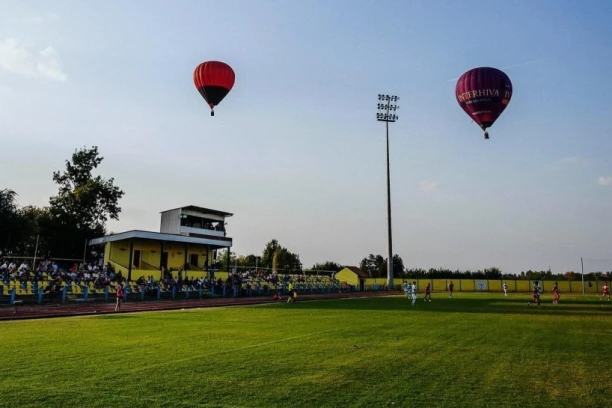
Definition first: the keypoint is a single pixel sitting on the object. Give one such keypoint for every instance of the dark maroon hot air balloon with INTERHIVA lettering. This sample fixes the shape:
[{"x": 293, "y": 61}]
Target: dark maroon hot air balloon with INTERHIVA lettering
[{"x": 483, "y": 93}]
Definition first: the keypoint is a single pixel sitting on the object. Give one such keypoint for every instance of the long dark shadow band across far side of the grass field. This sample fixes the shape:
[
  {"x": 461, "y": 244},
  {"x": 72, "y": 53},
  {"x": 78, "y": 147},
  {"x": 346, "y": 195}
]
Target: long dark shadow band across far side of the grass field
[{"x": 458, "y": 305}]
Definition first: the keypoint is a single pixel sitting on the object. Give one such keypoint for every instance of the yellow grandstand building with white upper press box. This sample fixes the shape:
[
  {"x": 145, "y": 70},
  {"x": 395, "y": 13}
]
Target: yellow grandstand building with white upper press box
[{"x": 188, "y": 239}]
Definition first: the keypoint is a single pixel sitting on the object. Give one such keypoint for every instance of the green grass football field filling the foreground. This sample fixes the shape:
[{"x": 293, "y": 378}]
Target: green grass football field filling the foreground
[{"x": 476, "y": 350}]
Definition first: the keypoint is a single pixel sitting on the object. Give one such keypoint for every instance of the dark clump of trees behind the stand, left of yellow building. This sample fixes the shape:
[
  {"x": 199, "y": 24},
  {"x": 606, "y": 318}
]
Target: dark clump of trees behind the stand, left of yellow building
[{"x": 78, "y": 212}]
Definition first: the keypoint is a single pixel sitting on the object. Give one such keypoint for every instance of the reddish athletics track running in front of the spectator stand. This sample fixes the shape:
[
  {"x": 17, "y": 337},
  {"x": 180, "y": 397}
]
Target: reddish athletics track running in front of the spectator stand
[{"x": 47, "y": 311}]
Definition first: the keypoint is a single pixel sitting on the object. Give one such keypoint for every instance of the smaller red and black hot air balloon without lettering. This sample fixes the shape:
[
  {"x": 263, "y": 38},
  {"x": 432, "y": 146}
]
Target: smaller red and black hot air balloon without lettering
[{"x": 214, "y": 79}]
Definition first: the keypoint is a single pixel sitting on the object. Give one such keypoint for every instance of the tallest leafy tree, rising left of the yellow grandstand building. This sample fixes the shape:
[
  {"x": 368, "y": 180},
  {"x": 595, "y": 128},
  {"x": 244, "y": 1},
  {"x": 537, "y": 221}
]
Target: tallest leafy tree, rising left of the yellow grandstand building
[{"x": 82, "y": 207}]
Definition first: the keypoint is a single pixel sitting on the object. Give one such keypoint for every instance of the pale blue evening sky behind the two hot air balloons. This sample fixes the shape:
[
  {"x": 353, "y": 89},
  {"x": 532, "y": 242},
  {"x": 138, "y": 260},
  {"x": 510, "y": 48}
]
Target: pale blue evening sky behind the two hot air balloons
[{"x": 295, "y": 151}]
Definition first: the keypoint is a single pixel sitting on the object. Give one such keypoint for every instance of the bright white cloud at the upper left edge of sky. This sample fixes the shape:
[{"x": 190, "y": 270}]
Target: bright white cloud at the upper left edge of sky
[{"x": 17, "y": 59}]
